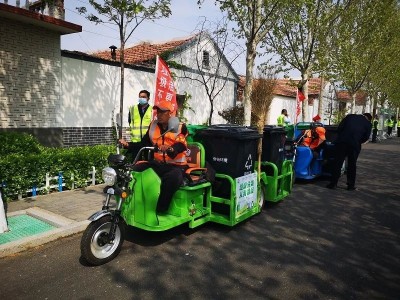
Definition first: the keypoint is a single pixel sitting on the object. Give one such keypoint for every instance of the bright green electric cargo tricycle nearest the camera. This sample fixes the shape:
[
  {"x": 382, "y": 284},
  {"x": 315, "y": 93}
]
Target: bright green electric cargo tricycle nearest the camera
[{"x": 222, "y": 199}]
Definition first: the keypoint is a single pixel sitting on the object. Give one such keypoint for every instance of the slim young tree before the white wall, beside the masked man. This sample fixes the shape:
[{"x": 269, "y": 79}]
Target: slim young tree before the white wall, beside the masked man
[{"x": 127, "y": 15}]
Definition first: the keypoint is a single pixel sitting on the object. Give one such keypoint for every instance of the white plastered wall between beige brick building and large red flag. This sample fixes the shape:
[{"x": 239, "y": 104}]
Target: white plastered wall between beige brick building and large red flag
[{"x": 90, "y": 92}]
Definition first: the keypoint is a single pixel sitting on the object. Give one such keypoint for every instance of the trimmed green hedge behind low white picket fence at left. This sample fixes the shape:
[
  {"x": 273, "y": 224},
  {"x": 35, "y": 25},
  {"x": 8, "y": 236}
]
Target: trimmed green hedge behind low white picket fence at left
[{"x": 21, "y": 170}]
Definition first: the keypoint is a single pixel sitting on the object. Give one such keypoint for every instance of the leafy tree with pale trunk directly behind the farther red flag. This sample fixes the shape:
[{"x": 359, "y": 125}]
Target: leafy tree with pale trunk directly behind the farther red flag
[{"x": 295, "y": 39}]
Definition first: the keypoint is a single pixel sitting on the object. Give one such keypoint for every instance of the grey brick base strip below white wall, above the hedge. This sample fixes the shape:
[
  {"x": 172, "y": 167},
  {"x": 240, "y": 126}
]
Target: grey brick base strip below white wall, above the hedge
[{"x": 82, "y": 136}]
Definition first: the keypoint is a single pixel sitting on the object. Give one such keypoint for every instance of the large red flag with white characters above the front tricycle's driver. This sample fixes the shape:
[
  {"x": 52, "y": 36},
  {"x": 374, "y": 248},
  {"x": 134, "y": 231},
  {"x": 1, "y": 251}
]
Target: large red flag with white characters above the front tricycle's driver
[{"x": 164, "y": 87}]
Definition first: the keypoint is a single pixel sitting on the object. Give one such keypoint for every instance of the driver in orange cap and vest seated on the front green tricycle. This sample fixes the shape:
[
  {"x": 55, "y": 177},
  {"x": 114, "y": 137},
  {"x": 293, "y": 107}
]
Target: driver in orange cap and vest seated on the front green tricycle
[{"x": 170, "y": 160}]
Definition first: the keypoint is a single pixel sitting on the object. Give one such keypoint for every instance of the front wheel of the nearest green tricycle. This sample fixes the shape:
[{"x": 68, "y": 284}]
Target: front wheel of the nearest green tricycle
[{"x": 95, "y": 247}]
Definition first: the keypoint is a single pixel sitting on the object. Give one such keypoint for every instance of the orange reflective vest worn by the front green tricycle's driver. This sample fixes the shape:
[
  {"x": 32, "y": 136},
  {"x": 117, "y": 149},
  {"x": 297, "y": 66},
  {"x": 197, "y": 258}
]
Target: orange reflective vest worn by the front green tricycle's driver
[{"x": 169, "y": 139}]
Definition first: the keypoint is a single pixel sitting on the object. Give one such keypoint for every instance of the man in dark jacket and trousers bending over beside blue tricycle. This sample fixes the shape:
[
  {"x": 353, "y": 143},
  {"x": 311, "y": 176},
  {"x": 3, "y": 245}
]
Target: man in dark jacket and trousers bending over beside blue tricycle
[{"x": 353, "y": 131}]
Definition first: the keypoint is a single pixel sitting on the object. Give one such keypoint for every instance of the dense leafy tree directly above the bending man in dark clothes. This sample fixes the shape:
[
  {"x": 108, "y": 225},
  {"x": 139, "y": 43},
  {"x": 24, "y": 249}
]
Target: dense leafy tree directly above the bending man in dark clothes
[{"x": 356, "y": 43}]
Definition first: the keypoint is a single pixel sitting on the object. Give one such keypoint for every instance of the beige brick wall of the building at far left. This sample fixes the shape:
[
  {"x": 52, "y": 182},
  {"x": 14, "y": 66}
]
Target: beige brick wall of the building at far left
[{"x": 30, "y": 72}]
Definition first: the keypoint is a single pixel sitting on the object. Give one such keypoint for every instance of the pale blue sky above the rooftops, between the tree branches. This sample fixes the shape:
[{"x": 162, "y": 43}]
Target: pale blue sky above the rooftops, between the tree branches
[{"x": 185, "y": 16}]
